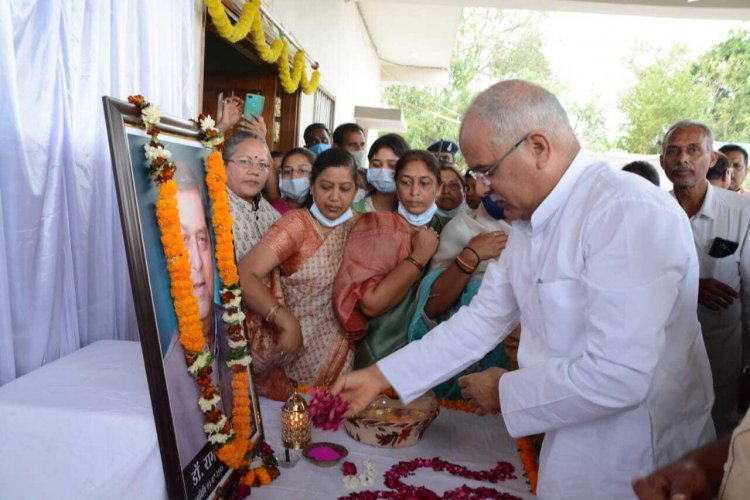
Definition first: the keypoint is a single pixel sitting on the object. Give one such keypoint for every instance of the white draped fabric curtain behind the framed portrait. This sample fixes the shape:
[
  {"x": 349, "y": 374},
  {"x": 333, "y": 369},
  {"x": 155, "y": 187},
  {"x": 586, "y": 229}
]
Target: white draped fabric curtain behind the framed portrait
[{"x": 63, "y": 271}]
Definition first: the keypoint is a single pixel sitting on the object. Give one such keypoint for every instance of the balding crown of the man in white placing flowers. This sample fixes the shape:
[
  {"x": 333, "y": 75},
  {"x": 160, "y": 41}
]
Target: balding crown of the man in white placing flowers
[{"x": 512, "y": 108}]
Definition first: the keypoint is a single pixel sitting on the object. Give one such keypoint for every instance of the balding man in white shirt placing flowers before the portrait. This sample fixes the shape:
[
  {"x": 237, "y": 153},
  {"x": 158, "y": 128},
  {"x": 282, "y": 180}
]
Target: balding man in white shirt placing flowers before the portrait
[{"x": 603, "y": 276}]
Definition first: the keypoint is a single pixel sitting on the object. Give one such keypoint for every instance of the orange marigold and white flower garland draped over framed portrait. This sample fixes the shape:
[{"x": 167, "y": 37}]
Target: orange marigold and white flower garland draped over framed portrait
[{"x": 230, "y": 439}]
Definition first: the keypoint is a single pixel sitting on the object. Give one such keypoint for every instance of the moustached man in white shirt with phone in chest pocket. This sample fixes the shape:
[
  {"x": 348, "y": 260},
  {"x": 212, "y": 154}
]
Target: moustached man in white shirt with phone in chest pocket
[{"x": 720, "y": 220}]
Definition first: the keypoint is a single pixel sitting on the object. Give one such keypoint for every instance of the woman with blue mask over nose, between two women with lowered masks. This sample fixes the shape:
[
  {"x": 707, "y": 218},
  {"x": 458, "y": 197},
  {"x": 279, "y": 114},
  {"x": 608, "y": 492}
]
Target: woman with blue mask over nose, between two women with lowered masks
[{"x": 383, "y": 156}]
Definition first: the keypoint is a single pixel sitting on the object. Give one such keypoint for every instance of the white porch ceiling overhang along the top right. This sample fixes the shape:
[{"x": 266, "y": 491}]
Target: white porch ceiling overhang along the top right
[{"x": 414, "y": 39}]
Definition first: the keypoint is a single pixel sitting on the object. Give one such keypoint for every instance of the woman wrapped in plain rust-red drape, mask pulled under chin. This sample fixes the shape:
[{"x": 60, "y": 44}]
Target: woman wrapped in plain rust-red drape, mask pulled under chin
[{"x": 385, "y": 258}]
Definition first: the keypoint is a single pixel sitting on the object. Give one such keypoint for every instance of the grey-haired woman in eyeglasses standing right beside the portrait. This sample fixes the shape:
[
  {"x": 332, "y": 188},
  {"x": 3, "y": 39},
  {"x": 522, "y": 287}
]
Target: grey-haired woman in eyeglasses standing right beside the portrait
[{"x": 248, "y": 163}]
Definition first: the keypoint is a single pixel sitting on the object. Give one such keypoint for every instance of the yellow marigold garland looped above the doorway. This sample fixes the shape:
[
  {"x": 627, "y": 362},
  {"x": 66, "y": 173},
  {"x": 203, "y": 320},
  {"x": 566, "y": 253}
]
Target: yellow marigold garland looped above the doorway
[{"x": 277, "y": 53}]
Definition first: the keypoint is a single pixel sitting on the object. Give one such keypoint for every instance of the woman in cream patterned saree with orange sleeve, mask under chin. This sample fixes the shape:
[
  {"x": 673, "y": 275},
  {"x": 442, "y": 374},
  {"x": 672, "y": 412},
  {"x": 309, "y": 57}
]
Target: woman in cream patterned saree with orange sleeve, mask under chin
[{"x": 294, "y": 333}]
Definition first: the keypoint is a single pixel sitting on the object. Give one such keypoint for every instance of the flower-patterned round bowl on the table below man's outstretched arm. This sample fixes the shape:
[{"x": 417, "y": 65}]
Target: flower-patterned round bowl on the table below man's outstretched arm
[{"x": 388, "y": 423}]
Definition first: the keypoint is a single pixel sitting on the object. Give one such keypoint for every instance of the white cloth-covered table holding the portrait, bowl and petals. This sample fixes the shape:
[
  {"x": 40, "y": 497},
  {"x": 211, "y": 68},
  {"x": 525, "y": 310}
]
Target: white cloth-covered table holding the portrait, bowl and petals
[{"x": 82, "y": 427}]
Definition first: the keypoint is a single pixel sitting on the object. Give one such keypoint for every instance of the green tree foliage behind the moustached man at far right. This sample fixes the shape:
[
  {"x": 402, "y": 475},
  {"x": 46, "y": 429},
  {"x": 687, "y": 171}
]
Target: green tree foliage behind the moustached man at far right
[{"x": 714, "y": 89}]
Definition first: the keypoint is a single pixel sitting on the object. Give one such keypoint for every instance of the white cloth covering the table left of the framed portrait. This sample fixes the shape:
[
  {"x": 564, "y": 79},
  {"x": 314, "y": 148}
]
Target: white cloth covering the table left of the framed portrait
[{"x": 81, "y": 427}]
